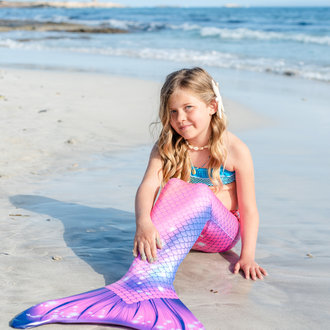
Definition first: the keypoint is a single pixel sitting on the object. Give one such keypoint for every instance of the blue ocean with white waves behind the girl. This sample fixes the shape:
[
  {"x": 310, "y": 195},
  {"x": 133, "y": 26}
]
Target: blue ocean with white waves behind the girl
[{"x": 282, "y": 41}]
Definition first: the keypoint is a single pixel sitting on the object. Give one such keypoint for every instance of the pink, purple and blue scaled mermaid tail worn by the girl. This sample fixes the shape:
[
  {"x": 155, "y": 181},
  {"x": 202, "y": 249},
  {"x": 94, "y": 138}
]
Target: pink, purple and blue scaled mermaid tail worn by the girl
[{"x": 144, "y": 298}]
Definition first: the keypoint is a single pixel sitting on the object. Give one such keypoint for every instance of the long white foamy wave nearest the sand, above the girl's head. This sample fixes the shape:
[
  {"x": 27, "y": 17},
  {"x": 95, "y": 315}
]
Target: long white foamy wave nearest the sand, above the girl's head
[{"x": 194, "y": 57}]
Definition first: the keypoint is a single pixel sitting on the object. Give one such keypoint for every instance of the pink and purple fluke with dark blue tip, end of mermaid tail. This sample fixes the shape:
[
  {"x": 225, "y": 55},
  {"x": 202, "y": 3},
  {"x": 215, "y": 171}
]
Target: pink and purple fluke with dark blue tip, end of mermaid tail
[{"x": 103, "y": 306}]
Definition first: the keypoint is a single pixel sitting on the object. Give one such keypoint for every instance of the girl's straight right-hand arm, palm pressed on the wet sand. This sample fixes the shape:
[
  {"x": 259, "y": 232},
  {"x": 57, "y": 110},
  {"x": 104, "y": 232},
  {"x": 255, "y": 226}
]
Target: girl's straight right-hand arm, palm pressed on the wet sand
[{"x": 249, "y": 216}]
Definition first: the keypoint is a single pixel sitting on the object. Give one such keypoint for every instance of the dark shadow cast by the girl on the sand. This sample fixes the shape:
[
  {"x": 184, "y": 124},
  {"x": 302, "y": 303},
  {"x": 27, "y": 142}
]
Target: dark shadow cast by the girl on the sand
[{"x": 101, "y": 237}]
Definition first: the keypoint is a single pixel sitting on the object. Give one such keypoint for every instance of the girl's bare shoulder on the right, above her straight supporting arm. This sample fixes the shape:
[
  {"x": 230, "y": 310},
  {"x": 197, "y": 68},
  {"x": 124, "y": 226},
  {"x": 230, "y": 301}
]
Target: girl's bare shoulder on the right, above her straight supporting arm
[{"x": 238, "y": 152}]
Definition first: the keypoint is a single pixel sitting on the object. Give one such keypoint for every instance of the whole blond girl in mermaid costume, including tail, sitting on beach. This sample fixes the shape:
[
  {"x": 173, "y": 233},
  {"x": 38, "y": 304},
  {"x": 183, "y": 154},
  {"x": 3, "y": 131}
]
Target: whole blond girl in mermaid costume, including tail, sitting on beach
[{"x": 200, "y": 176}]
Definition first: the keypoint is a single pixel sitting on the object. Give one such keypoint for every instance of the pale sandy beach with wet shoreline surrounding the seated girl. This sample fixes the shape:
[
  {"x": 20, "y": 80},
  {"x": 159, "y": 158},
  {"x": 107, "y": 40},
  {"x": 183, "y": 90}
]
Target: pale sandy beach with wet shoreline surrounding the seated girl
[{"x": 76, "y": 139}]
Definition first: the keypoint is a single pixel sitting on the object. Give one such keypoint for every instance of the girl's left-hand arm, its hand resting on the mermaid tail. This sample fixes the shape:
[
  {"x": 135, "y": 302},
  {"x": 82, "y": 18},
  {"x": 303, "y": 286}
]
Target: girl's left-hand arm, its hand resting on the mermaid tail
[{"x": 147, "y": 238}]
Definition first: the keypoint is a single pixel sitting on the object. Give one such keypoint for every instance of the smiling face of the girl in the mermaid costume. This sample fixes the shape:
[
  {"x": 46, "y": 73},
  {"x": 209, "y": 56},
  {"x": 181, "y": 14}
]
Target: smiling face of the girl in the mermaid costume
[{"x": 190, "y": 116}]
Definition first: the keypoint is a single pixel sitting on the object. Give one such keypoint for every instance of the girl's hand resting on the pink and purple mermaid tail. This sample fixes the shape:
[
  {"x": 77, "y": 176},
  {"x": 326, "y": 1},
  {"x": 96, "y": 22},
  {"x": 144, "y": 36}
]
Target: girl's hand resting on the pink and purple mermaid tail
[{"x": 146, "y": 241}]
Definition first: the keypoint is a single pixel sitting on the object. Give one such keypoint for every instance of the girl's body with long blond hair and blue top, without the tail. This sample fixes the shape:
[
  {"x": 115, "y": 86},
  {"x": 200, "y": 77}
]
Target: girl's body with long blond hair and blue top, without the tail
[{"x": 193, "y": 138}]
